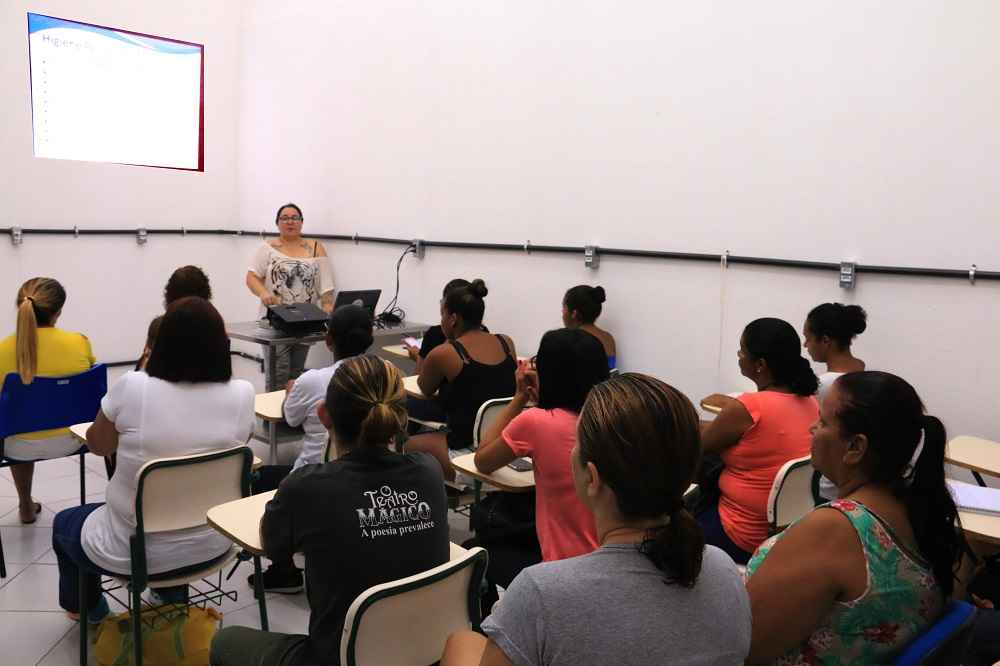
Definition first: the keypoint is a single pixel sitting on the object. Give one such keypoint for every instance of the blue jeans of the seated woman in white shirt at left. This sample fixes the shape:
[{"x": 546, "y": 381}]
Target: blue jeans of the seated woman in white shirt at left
[{"x": 73, "y": 561}]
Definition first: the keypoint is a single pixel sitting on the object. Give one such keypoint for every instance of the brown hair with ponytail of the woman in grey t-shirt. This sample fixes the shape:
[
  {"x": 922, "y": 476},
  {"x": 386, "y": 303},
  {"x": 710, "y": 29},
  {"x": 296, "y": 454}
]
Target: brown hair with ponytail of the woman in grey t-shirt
[{"x": 643, "y": 437}]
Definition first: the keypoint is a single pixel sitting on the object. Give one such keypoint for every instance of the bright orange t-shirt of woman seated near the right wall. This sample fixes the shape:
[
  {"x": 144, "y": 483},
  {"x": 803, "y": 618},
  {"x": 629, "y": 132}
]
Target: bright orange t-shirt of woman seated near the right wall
[{"x": 780, "y": 432}]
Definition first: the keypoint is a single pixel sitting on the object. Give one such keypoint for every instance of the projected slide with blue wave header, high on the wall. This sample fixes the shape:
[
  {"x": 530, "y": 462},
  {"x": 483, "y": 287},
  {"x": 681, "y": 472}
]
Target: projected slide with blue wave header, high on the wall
[{"x": 105, "y": 95}]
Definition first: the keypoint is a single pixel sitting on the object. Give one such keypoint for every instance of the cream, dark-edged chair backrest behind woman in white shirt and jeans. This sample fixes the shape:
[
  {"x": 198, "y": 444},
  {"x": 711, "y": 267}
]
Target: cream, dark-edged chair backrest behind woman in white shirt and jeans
[{"x": 176, "y": 493}]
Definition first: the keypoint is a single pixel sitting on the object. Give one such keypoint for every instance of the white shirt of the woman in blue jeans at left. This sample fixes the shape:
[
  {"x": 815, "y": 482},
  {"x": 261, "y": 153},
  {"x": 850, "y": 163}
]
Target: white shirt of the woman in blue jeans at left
[{"x": 159, "y": 419}]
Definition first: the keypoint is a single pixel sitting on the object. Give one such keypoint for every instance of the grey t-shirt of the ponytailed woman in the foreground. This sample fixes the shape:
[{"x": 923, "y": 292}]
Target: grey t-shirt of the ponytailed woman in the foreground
[{"x": 612, "y": 607}]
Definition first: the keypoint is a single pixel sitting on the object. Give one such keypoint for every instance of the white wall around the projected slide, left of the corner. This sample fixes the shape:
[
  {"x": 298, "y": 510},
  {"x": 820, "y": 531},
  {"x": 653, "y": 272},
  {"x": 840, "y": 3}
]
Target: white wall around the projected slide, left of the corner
[{"x": 114, "y": 285}]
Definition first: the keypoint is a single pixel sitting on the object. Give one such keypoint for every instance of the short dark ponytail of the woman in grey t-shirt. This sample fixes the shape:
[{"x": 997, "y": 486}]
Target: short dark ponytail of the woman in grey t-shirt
[{"x": 677, "y": 548}]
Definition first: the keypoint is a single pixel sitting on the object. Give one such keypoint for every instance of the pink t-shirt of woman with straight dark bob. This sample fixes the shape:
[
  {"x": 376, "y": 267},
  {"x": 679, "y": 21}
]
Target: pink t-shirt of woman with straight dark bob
[{"x": 547, "y": 436}]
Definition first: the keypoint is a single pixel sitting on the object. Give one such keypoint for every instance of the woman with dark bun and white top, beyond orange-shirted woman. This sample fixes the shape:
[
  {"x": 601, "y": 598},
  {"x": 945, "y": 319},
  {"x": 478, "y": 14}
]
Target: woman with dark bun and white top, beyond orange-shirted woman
[{"x": 827, "y": 335}]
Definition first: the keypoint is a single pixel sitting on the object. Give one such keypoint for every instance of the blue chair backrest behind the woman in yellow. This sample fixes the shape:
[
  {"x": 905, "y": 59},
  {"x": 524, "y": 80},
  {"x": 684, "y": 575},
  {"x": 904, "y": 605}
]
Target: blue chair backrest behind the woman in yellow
[{"x": 51, "y": 402}]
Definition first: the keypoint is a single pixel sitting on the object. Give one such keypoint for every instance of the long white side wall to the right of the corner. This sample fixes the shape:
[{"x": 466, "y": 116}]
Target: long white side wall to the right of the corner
[{"x": 805, "y": 130}]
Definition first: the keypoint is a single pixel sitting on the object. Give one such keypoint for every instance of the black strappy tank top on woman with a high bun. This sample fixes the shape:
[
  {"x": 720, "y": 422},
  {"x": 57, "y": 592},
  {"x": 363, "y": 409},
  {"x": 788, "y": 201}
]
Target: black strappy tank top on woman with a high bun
[{"x": 475, "y": 384}]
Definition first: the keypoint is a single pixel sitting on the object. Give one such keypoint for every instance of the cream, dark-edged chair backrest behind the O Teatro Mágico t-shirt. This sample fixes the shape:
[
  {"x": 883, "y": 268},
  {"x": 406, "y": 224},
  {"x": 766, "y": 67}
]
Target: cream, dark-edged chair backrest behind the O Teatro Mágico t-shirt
[{"x": 406, "y": 622}]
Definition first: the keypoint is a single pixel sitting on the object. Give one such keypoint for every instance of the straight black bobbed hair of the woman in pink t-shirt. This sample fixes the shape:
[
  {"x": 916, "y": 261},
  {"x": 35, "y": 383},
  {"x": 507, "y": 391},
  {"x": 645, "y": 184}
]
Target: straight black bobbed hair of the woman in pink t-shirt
[{"x": 570, "y": 362}]
